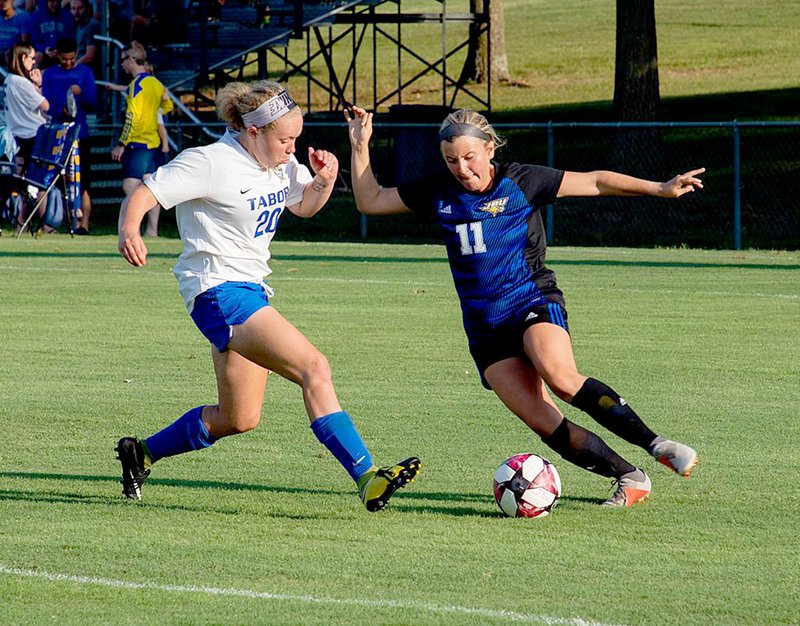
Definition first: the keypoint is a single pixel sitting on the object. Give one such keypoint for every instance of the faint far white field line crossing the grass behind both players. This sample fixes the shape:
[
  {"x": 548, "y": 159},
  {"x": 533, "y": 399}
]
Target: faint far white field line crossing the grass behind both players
[{"x": 368, "y": 281}]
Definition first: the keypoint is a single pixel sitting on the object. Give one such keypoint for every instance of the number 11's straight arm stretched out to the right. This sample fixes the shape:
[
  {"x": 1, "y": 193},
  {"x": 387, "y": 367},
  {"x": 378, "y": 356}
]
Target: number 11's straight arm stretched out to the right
[{"x": 605, "y": 183}]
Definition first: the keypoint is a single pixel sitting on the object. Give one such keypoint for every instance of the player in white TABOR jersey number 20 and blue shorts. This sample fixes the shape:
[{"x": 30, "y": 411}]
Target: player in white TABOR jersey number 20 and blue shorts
[{"x": 228, "y": 197}]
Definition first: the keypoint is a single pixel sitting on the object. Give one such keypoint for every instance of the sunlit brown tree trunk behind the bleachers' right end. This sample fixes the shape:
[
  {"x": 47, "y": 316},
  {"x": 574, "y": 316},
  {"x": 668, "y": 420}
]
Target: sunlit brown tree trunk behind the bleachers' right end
[{"x": 476, "y": 65}]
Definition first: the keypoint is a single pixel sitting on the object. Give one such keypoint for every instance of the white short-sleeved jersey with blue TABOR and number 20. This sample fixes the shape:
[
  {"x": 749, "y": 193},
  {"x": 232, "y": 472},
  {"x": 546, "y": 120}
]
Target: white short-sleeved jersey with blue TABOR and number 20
[{"x": 227, "y": 209}]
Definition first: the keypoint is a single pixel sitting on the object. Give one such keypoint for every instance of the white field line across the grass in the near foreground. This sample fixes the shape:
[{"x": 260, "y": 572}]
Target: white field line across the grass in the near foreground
[{"x": 260, "y": 595}]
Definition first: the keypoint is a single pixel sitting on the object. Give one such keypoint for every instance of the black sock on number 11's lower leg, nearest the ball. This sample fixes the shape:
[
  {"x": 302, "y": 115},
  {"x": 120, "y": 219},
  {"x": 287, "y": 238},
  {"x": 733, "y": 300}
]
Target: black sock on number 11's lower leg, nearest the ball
[{"x": 585, "y": 449}]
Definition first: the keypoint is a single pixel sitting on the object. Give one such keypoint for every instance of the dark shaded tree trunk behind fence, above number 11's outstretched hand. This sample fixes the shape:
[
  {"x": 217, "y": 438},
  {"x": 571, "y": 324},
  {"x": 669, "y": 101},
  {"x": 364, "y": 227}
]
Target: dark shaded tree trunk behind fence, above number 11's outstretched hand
[{"x": 636, "y": 94}]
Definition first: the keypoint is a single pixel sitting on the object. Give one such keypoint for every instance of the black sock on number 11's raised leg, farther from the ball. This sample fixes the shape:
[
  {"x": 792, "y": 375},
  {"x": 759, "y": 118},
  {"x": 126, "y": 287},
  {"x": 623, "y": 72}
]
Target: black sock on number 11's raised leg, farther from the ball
[{"x": 608, "y": 409}]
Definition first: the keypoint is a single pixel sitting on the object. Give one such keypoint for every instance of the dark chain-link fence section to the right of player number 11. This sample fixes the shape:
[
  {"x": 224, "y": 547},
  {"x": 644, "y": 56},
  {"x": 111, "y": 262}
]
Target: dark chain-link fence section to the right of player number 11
[{"x": 750, "y": 196}]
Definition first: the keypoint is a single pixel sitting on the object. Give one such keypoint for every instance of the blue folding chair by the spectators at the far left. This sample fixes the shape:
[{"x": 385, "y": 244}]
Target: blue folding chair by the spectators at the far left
[{"x": 54, "y": 158}]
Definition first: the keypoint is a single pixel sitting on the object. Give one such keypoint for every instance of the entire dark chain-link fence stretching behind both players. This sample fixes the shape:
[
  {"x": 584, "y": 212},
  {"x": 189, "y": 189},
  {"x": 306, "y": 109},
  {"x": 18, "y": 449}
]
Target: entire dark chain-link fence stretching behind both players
[{"x": 751, "y": 195}]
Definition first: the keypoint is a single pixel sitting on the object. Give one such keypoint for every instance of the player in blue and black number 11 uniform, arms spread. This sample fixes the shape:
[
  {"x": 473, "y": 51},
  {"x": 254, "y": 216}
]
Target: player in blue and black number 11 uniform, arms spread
[{"x": 514, "y": 314}]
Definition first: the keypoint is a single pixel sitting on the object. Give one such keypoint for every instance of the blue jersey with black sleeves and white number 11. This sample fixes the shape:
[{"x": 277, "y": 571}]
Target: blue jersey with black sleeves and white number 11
[{"x": 495, "y": 240}]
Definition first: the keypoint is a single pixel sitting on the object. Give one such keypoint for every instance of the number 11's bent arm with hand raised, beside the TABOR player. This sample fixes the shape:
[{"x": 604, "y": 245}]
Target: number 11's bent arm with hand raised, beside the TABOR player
[{"x": 371, "y": 198}]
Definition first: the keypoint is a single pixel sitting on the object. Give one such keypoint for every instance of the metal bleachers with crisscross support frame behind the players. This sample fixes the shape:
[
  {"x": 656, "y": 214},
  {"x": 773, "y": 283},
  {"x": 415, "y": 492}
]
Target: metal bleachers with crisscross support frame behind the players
[{"x": 242, "y": 40}]
